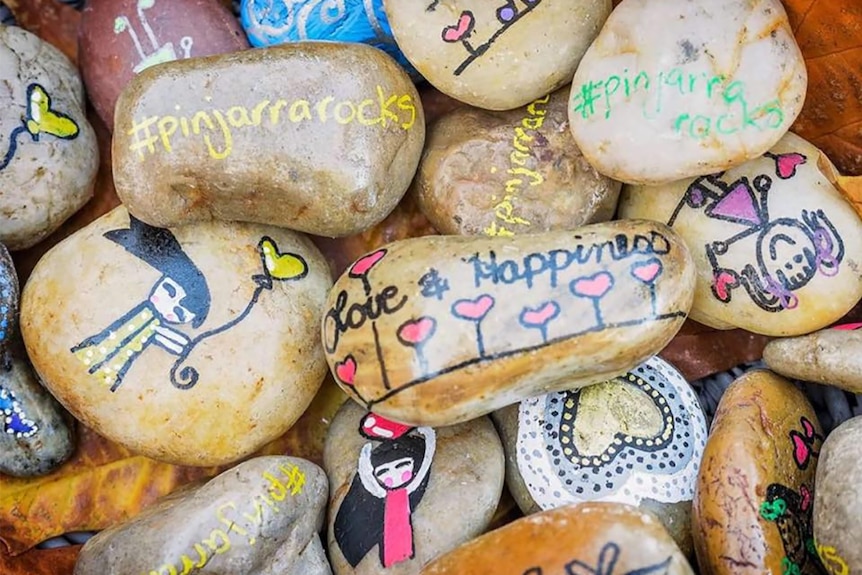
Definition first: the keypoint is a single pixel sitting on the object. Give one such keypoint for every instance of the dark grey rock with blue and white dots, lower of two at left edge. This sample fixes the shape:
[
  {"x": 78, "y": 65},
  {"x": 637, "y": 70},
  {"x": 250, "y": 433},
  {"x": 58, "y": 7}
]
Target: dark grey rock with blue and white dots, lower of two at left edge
[{"x": 36, "y": 433}]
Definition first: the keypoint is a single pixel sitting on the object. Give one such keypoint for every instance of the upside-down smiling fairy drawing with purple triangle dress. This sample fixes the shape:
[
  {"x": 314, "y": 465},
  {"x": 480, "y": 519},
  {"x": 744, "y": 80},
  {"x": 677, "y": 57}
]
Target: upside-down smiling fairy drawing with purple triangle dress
[{"x": 789, "y": 252}]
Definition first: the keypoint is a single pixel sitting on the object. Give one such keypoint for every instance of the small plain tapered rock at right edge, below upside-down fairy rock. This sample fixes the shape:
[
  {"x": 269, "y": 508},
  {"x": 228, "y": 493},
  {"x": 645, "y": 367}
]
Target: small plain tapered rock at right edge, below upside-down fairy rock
[{"x": 831, "y": 357}]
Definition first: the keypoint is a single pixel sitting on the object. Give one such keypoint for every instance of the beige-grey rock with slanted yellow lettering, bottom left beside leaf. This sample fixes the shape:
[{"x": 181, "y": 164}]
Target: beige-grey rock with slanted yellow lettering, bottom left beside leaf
[{"x": 260, "y": 518}]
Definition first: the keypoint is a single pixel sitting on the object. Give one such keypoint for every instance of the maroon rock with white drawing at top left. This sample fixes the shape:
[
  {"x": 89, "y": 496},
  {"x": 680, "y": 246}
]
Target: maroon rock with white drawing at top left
[{"x": 119, "y": 38}]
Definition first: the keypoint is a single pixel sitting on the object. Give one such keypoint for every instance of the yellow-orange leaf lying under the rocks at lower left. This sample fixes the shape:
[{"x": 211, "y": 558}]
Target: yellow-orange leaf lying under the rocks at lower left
[{"x": 105, "y": 483}]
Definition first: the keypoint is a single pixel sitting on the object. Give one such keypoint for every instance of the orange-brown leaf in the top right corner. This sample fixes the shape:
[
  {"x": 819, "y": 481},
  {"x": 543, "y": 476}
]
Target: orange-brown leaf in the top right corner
[{"x": 829, "y": 32}]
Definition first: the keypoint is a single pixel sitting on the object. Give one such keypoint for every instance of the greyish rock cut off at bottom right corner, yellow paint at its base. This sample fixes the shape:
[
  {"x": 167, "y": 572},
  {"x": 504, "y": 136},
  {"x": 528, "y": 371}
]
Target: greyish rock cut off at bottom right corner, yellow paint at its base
[{"x": 837, "y": 506}]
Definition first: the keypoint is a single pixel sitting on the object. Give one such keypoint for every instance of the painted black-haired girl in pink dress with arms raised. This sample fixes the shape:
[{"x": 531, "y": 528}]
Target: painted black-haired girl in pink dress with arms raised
[{"x": 388, "y": 486}]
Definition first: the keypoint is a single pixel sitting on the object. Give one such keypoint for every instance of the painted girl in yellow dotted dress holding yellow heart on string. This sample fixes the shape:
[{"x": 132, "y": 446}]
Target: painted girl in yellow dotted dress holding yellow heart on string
[{"x": 180, "y": 296}]
